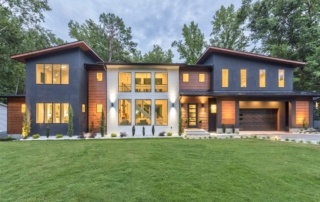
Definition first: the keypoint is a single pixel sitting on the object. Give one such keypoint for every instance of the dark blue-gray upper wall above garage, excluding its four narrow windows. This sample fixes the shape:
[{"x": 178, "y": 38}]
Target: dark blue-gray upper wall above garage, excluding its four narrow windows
[{"x": 234, "y": 64}]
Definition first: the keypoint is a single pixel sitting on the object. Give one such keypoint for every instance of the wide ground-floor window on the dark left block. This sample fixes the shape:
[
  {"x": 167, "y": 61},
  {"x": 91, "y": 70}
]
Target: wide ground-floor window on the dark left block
[{"x": 52, "y": 112}]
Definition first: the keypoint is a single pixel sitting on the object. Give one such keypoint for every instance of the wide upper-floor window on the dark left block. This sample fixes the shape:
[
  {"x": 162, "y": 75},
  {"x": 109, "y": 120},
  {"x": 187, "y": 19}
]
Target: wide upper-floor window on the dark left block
[{"x": 52, "y": 74}]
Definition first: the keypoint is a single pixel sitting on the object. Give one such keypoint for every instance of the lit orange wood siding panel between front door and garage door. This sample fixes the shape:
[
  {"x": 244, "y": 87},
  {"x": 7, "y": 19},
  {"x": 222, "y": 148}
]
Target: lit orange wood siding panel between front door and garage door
[{"x": 228, "y": 112}]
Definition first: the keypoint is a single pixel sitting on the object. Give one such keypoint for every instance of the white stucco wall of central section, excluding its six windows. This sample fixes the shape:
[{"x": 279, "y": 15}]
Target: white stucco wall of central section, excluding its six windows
[{"x": 113, "y": 96}]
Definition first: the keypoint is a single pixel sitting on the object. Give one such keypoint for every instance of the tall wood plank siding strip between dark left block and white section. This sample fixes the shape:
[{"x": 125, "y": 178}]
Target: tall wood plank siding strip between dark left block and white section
[{"x": 97, "y": 92}]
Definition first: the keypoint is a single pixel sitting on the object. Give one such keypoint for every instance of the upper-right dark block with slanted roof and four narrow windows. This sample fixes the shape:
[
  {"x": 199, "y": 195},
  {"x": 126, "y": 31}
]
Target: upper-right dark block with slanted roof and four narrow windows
[{"x": 241, "y": 71}]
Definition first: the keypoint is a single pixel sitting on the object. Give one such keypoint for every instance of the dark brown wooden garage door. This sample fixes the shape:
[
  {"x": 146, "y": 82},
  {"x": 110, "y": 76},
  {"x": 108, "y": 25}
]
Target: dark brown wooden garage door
[{"x": 258, "y": 119}]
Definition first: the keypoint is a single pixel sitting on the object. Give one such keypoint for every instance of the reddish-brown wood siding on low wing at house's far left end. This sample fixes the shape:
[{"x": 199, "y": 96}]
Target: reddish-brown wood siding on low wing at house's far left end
[{"x": 14, "y": 115}]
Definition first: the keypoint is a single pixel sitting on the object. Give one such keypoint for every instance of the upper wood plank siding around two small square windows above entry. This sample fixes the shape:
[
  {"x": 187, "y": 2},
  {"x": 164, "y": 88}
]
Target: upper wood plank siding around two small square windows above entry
[{"x": 194, "y": 83}]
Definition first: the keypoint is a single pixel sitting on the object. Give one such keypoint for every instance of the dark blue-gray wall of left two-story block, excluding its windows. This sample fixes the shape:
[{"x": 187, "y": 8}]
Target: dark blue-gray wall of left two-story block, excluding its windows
[{"x": 74, "y": 93}]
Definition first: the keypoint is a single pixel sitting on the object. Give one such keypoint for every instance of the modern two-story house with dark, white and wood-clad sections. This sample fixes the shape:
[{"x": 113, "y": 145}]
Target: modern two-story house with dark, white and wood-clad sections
[{"x": 224, "y": 89}]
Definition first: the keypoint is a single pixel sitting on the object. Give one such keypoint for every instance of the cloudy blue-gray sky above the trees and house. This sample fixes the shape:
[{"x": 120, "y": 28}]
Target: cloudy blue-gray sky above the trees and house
[{"x": 152, "y": 22}]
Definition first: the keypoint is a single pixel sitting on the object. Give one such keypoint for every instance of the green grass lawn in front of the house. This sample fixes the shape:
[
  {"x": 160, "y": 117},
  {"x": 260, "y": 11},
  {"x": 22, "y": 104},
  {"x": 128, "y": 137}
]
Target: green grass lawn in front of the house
[{"x": 159, "y": 170}]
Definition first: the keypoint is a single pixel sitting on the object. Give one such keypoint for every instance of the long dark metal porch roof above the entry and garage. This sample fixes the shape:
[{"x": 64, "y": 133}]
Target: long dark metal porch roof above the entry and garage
[{"x": 250, "y": 93}]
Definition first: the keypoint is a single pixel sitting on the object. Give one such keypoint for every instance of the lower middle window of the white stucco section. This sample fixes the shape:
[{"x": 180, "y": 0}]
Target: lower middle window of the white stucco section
[{"x": 143, "y": 112}]
